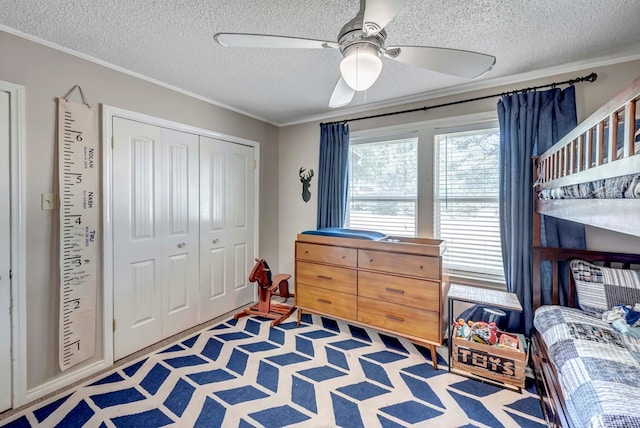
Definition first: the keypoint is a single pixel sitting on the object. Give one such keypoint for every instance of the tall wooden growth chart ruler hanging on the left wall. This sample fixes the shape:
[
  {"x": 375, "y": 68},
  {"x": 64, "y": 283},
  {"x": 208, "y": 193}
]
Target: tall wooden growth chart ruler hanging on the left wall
[{"x": 78, "y": 166}]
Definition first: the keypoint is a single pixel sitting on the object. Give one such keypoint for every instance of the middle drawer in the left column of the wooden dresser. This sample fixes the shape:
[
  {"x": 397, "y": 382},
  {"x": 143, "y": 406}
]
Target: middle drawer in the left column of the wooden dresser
[{"x": 330, "y": 277}]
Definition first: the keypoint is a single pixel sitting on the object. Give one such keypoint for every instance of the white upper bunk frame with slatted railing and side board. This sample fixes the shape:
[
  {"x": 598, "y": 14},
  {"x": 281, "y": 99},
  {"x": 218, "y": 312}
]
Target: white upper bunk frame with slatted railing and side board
[{"x": 570, "y": 162}]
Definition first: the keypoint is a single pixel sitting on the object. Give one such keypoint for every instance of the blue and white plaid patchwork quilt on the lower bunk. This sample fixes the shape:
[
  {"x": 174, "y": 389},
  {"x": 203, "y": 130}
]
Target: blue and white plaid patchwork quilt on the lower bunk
[{"x": 598, "y": 368}]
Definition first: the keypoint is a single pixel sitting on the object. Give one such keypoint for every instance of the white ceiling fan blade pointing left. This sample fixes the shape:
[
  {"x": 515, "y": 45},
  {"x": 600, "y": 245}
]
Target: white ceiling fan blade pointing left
[{"x": 244, "y": 40}]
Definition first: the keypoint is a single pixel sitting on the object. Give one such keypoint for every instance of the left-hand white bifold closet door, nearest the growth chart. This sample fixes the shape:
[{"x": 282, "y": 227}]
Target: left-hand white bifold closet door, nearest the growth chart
[{"x": 155, "y": 234}]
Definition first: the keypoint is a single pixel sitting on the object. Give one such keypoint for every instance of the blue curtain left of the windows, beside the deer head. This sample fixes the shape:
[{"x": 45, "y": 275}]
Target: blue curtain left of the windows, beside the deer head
[{"x": 333, "y": 174}]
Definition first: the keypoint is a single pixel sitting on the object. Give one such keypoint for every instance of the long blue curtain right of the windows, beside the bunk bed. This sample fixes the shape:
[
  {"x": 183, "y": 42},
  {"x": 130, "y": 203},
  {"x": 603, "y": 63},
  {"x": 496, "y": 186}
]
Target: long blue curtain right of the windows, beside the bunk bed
[{"x": 529, "y": 124}]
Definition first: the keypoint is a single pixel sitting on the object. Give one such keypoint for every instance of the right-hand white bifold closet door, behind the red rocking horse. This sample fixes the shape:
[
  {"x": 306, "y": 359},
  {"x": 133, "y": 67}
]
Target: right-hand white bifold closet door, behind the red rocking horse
[{"x": 226, "y": 226}]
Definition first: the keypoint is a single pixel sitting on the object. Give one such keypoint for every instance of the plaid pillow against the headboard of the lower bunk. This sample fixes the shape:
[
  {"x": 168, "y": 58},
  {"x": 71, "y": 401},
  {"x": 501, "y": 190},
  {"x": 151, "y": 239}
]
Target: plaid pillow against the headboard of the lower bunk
[{"x": 600, "y": 289}]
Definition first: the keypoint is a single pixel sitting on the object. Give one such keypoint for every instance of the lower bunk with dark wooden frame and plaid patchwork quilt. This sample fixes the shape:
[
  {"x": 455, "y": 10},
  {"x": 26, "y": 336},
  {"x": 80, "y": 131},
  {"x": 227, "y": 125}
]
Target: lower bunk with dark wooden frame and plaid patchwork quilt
[{"x": 587, "y": 372}]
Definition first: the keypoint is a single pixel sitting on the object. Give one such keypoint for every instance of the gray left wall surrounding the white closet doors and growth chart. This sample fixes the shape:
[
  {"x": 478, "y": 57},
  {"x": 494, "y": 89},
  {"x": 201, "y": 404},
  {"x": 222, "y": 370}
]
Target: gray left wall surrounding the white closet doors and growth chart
[{"x": 47, "y": 74}]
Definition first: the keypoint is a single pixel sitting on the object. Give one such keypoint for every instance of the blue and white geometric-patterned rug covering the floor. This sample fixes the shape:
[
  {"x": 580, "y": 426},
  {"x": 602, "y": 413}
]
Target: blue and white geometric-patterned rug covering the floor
[{"x": 325, "y": 373}]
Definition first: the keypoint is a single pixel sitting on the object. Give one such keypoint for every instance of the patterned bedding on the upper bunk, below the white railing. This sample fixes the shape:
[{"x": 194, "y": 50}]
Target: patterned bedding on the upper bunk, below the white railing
[{"x": 627, "y": 186}]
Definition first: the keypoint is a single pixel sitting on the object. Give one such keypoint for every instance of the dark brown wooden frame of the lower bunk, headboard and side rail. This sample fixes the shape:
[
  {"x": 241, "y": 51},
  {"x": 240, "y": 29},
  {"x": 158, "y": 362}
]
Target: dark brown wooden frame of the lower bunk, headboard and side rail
[{"x": 553, "y": 402}]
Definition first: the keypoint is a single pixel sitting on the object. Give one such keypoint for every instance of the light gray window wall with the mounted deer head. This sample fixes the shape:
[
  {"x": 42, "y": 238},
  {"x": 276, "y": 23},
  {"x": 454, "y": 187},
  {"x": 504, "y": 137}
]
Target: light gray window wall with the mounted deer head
[{"x": 299, "y": 146}]
